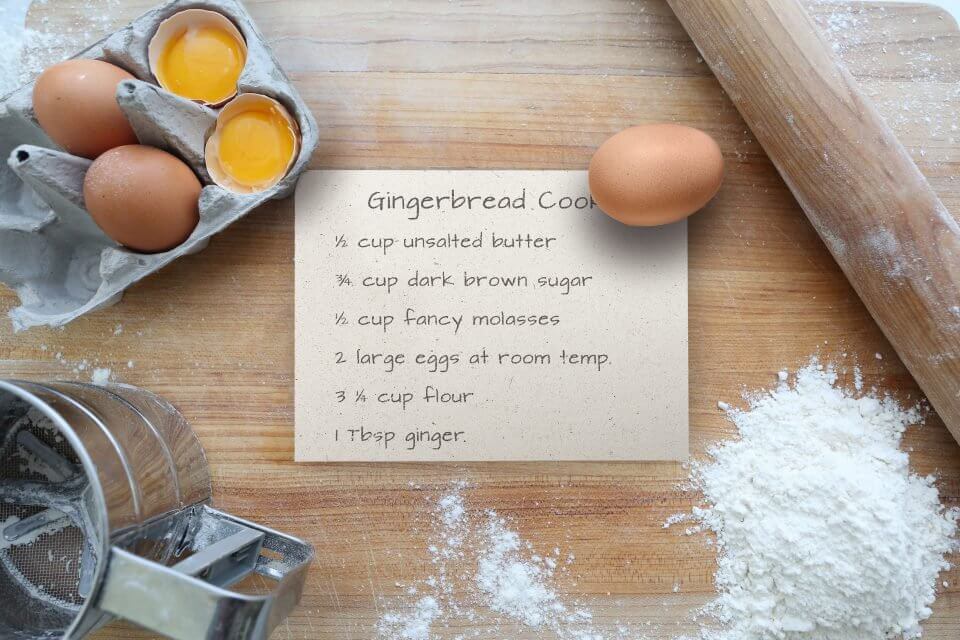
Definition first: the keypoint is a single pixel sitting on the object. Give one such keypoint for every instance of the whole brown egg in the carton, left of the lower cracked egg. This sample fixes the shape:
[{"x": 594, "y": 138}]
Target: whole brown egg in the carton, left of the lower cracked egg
[{"x": 142, "y": 197}]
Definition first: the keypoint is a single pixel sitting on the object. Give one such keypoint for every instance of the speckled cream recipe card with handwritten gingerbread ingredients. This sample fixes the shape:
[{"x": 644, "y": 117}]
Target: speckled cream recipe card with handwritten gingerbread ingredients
[{"x": 484, "y": 315}]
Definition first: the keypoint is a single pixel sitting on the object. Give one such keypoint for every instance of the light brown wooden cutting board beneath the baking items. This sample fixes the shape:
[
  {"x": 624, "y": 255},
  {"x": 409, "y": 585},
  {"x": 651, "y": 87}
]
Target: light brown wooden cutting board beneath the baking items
[{"x": 540, "y": 84}]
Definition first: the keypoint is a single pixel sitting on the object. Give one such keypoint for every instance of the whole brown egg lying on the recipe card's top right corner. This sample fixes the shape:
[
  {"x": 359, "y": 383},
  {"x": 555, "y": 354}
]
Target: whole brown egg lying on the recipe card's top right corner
[{"x": 655, "y": 174}]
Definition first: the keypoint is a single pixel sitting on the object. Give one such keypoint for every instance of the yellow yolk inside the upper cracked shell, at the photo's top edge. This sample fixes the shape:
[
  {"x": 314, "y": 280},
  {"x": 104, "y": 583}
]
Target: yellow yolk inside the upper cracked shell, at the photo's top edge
[{"x": 202, "y": 63}]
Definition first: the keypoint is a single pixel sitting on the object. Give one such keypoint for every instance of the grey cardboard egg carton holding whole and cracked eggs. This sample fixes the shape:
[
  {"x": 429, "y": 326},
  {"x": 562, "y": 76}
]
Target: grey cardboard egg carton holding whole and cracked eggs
[{"x": 53, "y": 255}]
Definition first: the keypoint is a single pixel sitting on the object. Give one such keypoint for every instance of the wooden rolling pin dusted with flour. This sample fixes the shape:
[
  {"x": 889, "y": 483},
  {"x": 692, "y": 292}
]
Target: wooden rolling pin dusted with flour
[{"x": 895, "y": 241}]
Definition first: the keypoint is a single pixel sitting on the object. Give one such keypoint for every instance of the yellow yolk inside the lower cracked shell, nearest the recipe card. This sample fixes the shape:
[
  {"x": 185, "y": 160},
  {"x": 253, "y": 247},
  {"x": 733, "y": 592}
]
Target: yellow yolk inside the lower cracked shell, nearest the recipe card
[{"x": 256, "y": 146}]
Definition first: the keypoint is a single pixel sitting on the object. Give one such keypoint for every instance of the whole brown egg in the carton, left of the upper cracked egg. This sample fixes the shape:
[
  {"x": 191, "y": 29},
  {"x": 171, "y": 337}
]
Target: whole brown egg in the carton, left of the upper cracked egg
[{"x": 75, "y": 103}]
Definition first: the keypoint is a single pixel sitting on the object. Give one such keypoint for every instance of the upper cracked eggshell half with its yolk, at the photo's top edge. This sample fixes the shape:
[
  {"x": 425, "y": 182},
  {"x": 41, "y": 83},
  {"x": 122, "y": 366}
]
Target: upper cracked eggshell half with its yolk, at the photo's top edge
[{"x": 199, "y": 55}]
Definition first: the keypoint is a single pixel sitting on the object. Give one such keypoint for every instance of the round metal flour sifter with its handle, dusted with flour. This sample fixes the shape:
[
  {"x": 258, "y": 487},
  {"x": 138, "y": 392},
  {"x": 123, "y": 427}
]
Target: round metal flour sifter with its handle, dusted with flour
[{"x": 105, "y": 512}]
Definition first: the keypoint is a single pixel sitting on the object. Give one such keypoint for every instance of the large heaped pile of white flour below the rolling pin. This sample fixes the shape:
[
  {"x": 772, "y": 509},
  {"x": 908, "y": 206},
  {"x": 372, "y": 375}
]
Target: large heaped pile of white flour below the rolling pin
[{"x": 823, "y": 531}]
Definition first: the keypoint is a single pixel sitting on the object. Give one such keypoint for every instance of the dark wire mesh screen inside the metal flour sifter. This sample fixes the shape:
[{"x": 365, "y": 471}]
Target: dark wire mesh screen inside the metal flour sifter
[{"x": 46, "y": 562}]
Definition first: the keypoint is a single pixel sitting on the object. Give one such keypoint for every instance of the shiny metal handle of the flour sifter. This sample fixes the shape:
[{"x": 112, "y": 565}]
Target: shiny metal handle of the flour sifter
[{"x": 190, "y": 601}]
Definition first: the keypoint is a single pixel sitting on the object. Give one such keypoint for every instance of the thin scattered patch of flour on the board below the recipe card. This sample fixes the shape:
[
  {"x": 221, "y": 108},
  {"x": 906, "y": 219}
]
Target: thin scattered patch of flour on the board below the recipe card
[{"x": 486, "y": 574}]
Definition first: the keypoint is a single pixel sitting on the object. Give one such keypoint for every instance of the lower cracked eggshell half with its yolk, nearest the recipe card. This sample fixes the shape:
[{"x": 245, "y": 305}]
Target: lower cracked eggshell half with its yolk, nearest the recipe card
[{"x": 254, "y": 144}]
